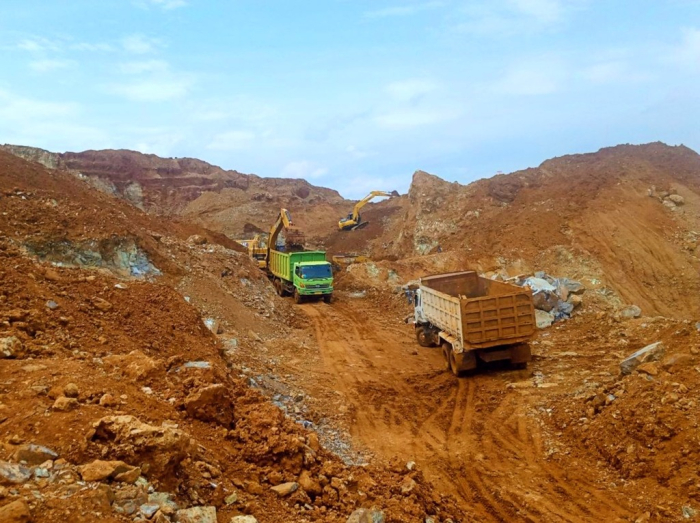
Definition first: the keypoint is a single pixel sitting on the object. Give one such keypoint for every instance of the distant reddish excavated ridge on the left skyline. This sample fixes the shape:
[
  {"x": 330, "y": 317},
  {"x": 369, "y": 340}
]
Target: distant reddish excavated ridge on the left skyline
[{"x": 173, "y": 185}]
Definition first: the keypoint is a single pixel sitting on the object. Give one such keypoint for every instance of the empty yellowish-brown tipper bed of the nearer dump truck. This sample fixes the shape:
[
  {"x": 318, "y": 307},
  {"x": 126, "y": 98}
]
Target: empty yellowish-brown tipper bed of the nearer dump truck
[{"x": 478, "y": 312}]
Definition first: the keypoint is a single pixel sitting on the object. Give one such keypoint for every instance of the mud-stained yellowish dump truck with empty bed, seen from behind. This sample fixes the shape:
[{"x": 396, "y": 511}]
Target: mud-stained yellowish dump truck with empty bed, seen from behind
[{"x": 474, "y": 318}]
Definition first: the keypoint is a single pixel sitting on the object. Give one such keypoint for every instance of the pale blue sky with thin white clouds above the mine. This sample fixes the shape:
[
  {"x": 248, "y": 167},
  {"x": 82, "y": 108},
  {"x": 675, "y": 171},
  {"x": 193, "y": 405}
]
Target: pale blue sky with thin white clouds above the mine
[{"x": 351, "y": 94}]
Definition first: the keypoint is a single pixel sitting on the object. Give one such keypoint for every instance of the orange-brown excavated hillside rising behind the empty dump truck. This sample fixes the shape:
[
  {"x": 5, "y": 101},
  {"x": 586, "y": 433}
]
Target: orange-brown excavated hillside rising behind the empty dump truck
[{"x": 626, "y": 216}]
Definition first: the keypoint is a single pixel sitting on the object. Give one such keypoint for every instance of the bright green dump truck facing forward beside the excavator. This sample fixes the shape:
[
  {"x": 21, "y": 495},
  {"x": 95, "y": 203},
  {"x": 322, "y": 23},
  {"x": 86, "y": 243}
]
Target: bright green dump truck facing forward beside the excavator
[{"x": 303, "y": 274}]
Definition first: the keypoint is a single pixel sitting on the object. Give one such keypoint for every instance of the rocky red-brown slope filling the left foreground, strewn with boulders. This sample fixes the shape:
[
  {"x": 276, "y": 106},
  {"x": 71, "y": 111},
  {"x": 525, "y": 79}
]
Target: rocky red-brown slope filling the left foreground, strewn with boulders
[{"x": 121, "y": 395}]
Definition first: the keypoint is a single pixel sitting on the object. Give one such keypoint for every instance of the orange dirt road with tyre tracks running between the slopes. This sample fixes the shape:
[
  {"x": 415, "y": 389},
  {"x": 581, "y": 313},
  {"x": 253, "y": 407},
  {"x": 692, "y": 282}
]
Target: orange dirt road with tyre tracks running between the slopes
[{"x": 474, "y": 438}]
